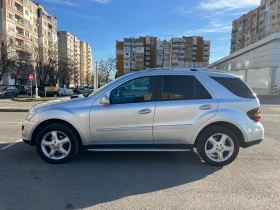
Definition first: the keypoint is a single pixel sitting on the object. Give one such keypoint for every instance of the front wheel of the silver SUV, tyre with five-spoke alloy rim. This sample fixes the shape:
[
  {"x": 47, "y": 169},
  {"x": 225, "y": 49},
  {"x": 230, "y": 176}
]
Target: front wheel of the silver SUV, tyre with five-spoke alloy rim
[{"x": 45, "y": 145}]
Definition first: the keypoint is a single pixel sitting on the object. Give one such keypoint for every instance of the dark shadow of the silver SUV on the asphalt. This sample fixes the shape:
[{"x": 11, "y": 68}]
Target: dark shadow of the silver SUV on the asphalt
[{"x": 96, "y": 178}]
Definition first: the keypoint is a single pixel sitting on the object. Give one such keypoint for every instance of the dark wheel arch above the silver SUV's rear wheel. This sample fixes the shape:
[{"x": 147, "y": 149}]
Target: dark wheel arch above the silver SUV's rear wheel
[{"x": 227, "y": 125}]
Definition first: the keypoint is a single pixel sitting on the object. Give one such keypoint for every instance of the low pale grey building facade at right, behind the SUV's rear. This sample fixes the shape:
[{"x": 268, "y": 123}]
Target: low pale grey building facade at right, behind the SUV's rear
[{"x": 257, "y": 64}]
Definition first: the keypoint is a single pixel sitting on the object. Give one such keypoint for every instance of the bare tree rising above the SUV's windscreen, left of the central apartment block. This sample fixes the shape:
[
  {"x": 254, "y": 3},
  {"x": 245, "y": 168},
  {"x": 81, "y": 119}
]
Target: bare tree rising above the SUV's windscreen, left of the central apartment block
[{"x": 107, "y": 68}]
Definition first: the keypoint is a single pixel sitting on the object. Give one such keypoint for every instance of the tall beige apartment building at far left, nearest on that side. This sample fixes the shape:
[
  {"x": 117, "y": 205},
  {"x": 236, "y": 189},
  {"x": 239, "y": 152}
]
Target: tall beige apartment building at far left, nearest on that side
[{"x": 26, "y": 25}]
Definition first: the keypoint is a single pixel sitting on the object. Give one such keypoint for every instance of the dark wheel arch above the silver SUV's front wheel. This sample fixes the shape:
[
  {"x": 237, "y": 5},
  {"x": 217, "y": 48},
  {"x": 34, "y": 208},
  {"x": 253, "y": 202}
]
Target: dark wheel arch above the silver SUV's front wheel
[{"x": 53, "y": 121}]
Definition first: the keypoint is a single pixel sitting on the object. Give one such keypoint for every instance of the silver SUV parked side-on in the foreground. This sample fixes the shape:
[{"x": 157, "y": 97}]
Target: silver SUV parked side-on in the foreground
[{"x": 179, "y": 110}]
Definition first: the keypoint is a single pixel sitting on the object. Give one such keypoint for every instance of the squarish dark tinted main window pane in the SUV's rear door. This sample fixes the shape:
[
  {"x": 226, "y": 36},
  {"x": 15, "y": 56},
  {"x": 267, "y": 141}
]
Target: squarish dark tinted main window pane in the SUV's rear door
[{"x": 178, "y": 87}]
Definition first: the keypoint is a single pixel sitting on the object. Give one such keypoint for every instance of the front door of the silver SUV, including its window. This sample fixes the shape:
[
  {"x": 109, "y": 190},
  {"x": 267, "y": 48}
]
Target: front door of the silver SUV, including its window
[{"x": 128, "y": 119}]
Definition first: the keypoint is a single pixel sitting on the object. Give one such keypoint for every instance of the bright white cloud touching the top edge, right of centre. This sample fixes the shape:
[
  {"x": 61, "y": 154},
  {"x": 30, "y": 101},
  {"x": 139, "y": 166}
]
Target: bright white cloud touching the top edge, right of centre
[{"x": 223, "y": 4}]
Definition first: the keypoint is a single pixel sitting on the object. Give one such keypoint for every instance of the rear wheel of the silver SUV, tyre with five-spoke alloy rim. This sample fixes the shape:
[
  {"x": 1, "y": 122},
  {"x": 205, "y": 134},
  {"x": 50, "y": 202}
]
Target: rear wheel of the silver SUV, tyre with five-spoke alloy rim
[{"x": 215, "y": 147}]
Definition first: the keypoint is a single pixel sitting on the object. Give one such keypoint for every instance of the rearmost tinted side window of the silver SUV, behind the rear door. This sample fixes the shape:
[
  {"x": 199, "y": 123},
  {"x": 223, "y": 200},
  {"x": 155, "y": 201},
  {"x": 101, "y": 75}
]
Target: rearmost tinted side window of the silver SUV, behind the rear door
[{"x": 236, "y": 86}]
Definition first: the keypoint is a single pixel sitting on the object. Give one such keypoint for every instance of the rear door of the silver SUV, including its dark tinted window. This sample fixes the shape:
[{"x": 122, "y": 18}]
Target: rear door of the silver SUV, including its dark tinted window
[{"x": 185, "y": 104}]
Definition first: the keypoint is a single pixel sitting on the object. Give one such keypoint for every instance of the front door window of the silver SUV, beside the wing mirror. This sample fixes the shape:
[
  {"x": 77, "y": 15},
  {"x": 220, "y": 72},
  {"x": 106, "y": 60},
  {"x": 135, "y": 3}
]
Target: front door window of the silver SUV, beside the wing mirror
[{"x": 136, "y": 90}]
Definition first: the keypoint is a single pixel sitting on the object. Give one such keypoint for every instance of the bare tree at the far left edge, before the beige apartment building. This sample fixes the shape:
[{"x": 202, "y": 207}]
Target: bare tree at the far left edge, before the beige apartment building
[{"x": 8, "y": 54}]
